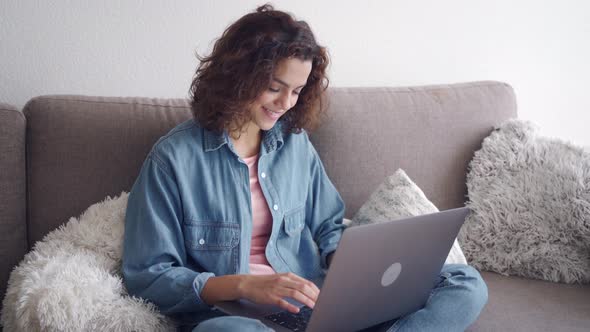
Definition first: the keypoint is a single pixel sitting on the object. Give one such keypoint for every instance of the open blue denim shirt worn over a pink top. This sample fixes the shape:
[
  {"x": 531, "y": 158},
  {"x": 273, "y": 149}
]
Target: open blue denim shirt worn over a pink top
[{"x": 189, "y": 214}]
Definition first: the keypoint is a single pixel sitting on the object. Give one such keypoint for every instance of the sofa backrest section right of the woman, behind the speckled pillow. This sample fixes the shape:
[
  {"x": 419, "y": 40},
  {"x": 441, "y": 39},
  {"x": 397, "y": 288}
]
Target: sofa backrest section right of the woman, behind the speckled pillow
[{"x": 431, "y": 132}]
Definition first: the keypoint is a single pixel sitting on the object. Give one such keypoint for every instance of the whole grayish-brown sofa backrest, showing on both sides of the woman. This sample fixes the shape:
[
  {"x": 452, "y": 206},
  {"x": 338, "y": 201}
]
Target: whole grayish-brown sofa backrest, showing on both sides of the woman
[{"x": 81, "y": 149}]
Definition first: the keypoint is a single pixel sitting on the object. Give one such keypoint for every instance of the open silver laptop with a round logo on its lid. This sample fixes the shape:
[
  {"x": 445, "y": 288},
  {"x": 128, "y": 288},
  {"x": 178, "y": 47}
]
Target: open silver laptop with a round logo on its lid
[{"x": 379, "y": 272}]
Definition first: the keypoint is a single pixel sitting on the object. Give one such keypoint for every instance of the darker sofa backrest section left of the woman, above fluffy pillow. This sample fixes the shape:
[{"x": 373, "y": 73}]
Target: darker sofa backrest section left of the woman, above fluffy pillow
[{"x": 81, "y": 149}]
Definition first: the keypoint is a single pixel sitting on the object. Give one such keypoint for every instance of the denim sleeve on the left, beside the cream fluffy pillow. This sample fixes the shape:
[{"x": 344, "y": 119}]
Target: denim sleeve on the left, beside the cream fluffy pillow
[{"x": 154, "y": 254}]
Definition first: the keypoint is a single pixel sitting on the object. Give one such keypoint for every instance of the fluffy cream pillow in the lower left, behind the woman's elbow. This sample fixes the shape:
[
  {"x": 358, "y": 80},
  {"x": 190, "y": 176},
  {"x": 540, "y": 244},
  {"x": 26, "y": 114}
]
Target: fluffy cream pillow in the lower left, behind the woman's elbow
[{"x": 71, "y": 280}]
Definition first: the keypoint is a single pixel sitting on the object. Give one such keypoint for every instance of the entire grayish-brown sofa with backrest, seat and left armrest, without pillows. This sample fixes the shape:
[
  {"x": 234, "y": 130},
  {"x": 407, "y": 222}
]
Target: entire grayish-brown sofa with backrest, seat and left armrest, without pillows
[{"x": 80, "y": 149}]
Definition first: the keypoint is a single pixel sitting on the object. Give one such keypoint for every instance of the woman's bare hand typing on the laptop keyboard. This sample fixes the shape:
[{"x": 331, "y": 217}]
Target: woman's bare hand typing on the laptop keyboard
[{"x": 272, "y": 289}]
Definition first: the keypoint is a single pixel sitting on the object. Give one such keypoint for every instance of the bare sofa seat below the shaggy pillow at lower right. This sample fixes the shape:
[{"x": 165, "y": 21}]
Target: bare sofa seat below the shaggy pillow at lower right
[{"x": 518, "y": 304}]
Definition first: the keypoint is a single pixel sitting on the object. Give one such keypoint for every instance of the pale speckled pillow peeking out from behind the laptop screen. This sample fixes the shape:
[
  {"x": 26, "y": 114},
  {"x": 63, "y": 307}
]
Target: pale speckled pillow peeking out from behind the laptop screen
[{"x": 399, "y": 197}]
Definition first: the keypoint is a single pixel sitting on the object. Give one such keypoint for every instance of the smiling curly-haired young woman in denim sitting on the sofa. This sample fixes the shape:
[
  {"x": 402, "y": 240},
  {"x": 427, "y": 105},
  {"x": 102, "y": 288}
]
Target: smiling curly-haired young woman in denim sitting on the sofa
[{"x": 235, "y": 203}]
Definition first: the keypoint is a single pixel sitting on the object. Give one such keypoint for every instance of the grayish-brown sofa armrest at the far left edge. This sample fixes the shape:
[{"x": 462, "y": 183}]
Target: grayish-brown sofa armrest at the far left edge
[{"x": 13, "y": 239}]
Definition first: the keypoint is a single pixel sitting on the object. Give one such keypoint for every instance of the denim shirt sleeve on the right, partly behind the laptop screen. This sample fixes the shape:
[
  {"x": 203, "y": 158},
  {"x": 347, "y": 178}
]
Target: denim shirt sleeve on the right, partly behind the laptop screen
[{"x": 325, "y": 209}]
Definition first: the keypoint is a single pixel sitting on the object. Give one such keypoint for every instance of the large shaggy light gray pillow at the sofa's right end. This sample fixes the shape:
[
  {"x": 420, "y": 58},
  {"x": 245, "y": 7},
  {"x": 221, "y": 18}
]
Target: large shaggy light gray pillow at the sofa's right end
[{"x": 530, "y": 202}]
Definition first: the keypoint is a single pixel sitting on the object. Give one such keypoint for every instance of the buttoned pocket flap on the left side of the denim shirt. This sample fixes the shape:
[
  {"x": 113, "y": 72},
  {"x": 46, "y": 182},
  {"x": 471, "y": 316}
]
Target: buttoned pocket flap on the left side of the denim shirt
[{"x": 212, "y": 235}]
